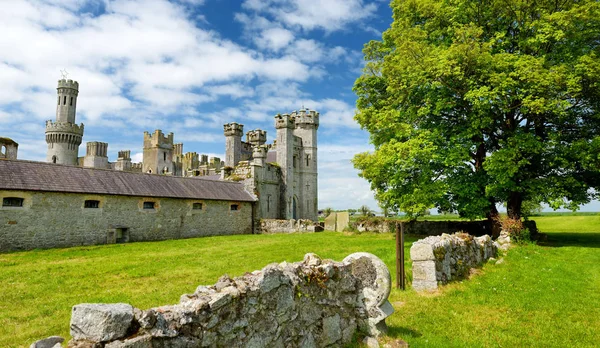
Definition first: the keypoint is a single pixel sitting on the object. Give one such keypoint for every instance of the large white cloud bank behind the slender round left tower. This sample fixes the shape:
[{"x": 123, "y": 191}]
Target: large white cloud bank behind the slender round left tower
[{"x": 138, "y": 55}]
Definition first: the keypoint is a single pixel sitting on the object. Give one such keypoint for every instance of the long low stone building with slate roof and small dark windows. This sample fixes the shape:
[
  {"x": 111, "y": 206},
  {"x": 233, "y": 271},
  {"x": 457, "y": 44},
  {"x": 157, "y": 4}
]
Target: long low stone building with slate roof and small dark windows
[{"x": 48, "y": 205}]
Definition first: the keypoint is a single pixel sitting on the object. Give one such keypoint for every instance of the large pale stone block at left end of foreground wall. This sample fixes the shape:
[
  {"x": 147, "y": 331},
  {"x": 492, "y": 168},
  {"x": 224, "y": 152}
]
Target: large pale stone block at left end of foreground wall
[{"x": 100, "y": 322}]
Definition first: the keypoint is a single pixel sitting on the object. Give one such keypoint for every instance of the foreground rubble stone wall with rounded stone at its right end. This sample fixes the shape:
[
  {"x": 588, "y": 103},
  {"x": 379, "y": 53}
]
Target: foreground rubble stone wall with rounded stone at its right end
[{"x": 313, "y": 303}]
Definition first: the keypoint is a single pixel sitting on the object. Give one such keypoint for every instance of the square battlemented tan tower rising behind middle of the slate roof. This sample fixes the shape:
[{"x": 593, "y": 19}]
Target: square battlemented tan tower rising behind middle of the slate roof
[{"x": 158, "y": 153}]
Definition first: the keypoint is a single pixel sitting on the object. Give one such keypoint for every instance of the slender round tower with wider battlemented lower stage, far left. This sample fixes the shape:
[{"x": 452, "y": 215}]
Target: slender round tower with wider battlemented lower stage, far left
[{"x": 64, "y": 136}]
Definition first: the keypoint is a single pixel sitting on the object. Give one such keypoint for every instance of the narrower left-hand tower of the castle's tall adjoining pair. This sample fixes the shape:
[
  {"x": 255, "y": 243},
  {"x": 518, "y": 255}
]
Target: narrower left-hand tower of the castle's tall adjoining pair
[{"x": 284, "y": 126}]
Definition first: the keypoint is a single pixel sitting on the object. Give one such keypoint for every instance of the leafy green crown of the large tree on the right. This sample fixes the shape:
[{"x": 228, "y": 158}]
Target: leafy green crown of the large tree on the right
[{"x": 471, "y": 104}]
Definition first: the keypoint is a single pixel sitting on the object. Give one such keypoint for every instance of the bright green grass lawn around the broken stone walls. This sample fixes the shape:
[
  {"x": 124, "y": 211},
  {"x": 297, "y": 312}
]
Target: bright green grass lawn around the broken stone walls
[{"x": 540, "y": 296}]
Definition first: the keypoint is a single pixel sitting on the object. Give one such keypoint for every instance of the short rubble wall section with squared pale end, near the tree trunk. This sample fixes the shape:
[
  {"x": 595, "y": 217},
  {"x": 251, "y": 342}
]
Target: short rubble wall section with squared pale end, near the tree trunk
[{"x": 439, "y": 259}]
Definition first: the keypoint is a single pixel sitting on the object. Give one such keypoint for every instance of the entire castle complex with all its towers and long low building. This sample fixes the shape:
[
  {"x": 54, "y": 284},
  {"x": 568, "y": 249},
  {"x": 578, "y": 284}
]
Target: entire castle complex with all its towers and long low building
[{"x": 71, "y": 200}]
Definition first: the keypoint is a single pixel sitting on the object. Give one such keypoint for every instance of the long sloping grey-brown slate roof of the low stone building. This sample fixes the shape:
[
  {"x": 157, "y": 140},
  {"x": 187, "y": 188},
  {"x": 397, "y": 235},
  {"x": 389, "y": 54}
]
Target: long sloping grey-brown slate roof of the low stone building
[{"x": 40, "y": 176}]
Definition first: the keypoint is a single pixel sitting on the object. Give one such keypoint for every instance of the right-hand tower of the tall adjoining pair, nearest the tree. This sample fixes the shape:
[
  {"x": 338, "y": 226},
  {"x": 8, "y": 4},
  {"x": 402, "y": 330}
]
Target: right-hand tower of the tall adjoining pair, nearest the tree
[{"x": 306, "y": 125}]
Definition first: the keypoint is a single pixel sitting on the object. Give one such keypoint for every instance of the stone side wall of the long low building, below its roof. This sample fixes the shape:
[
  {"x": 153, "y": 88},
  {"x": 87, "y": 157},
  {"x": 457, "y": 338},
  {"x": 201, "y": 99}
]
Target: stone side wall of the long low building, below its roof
[{"x": 51, "y": 220}]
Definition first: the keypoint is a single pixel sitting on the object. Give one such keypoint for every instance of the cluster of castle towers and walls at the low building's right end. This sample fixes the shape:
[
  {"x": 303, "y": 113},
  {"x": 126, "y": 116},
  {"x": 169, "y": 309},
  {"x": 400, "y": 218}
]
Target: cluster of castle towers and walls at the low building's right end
[{"x": 283, "y": 175}]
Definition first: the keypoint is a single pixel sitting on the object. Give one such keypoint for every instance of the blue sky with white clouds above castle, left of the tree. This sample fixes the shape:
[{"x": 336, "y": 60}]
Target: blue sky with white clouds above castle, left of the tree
[{"x": 188, "y": 67}]
